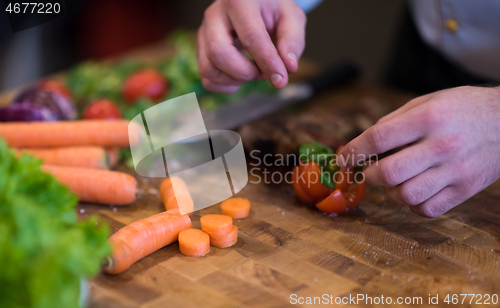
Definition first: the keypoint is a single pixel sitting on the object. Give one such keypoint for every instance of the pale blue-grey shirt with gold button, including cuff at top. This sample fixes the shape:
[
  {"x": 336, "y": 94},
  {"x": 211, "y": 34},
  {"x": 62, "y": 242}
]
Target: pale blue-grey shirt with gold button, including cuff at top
[{"x": 466, "y": 32}]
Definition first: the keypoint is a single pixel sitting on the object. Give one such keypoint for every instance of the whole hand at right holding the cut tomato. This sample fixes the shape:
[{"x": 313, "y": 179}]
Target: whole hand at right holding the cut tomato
[{"x": 453, "y": 152}]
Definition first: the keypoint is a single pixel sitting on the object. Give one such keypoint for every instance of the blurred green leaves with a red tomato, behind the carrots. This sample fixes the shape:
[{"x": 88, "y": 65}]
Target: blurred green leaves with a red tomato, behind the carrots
[{"x": 135, "y": 86}]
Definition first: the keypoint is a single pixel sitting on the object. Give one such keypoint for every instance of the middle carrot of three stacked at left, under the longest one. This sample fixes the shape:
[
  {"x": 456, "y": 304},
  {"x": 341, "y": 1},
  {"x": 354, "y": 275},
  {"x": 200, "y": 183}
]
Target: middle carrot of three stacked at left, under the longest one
[{"x": 89, "y": 156}]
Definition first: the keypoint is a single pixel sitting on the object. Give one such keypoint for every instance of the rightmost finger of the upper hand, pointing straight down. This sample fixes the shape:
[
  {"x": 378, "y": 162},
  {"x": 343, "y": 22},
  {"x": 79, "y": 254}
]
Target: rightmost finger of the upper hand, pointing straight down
[{"x": 290, "y": 35}]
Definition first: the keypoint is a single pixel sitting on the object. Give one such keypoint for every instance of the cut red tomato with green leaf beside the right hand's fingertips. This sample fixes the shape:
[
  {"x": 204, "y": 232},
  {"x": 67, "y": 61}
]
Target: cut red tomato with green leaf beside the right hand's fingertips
[{"x": 319, "y": 180}]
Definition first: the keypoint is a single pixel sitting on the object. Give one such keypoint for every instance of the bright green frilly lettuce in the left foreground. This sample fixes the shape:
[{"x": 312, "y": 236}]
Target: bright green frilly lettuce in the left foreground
[{"x": 45, "y": 252}]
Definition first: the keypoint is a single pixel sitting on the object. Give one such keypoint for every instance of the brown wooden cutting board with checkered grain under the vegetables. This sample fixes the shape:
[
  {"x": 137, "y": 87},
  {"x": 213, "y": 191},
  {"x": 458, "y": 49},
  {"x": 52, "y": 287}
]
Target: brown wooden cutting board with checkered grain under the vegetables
[{"x": 288, "y": 250}]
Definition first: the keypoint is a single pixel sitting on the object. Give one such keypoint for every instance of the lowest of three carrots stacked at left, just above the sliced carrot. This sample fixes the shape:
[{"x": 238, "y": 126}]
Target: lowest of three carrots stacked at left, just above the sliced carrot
[{"x": 97, "y": 186}]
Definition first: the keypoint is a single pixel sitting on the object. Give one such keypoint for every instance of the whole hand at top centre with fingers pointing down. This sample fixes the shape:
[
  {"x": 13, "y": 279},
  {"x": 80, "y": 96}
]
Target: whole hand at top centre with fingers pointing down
[{"x": 232, "y": 26}]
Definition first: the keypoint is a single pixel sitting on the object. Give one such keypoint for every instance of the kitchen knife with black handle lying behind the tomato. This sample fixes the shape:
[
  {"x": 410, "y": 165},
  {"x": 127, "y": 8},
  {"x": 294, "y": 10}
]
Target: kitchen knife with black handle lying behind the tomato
[{"x": 258, "y": 105}]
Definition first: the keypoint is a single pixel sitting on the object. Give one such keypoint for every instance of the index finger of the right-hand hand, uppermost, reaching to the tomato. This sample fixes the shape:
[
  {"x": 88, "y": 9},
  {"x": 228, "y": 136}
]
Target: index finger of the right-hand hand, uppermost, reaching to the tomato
[{"x": 385, "y": 136}]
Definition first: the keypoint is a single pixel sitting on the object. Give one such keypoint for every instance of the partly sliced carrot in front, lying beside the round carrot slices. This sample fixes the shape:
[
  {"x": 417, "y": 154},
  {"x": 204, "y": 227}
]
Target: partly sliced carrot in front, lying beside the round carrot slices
[{"x": 143, "y": 237}]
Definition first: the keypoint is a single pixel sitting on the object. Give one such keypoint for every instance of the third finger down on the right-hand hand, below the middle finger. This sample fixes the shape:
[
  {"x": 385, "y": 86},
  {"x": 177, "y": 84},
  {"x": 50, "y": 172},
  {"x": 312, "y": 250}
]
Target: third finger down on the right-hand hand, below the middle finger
[{"x": 420, "y": 188}]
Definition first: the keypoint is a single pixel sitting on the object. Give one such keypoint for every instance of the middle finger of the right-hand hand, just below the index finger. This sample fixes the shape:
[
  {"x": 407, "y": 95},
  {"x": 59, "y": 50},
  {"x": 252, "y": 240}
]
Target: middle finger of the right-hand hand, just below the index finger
[{"x": 401, "y": 166}]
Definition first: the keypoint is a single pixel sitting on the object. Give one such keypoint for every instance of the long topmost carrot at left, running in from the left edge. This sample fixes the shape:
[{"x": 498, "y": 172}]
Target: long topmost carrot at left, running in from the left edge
[{"x": 69, "y": 133}]
